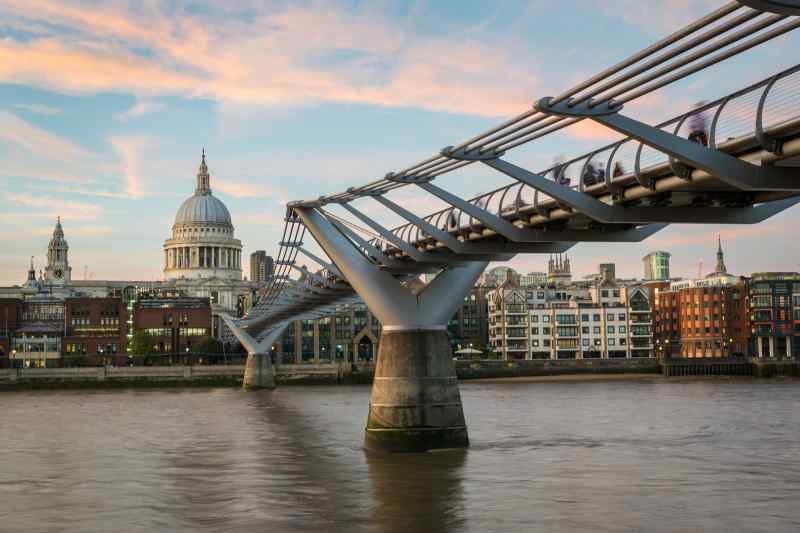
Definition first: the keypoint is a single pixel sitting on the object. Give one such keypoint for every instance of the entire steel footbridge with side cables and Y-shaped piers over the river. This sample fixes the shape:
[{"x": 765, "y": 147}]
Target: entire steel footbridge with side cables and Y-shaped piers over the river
[{"x": 742, "y": 169}]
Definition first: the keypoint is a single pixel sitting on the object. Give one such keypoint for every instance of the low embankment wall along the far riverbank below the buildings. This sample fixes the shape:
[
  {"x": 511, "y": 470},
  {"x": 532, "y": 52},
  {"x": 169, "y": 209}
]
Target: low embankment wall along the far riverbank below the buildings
[{"x": 489, "y": 371}]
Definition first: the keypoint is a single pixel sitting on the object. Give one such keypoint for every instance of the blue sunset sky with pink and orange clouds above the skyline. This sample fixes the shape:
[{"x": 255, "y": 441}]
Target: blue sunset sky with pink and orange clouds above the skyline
[{"x": 105, "y": 107}]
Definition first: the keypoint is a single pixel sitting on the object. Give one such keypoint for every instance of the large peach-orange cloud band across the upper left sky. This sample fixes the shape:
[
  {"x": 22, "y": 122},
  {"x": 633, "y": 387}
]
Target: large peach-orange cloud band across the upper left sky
[{"x": 293, "y": 57}]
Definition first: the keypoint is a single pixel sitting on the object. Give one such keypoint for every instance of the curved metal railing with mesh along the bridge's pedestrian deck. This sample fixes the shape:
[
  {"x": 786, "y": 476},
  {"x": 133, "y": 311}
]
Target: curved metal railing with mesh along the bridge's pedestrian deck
[{"x": 766, "y": 106}]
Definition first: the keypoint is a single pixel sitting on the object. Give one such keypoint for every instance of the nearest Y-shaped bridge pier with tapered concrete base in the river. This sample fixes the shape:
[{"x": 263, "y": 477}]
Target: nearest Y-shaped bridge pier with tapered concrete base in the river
[{"x": 415, "y": 404}]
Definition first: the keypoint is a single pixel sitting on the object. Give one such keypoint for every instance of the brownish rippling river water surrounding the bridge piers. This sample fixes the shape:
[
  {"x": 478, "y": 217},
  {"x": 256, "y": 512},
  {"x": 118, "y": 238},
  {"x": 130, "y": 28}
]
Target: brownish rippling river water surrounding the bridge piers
[{"x": 600, "y": 456}]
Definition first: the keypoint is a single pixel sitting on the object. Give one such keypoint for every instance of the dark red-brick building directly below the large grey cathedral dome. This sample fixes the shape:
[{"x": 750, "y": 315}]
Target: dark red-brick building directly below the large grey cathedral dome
[{"x": 174, "y": 324}]
